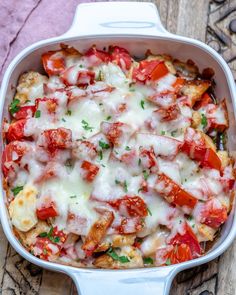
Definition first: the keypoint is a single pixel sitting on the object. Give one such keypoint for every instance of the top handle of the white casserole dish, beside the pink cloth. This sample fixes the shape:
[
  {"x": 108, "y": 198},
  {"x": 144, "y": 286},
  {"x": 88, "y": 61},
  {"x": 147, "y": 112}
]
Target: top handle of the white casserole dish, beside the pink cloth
[{"x": 116, "y": 18}]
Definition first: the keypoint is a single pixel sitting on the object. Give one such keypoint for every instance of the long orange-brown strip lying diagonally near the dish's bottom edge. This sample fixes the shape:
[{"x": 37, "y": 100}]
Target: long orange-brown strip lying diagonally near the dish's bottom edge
[{"x": 97, "y": 232}]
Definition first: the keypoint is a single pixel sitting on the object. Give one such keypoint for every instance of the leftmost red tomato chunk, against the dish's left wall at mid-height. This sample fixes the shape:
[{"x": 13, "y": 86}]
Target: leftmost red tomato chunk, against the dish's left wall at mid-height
[{"x": 12, "y": 153}]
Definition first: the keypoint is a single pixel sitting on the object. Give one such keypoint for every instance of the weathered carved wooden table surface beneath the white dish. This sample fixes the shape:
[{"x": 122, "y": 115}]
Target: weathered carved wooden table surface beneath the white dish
[{"x": 208, "y": 21}]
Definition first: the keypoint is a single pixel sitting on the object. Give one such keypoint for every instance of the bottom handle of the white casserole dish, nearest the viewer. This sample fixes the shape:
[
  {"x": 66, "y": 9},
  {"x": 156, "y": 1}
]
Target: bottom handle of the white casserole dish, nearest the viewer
[{"x": 128, "y": 282}]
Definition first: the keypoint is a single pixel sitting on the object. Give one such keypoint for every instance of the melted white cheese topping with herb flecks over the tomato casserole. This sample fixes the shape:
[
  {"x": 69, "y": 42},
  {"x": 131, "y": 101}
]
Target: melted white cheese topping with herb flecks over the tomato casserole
[{"x": 96, "y": 145}]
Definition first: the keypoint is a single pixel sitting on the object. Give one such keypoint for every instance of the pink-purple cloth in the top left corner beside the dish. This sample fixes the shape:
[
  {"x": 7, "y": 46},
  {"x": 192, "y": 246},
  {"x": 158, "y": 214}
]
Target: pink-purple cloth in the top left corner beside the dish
[{"x": 25, "y": 22}]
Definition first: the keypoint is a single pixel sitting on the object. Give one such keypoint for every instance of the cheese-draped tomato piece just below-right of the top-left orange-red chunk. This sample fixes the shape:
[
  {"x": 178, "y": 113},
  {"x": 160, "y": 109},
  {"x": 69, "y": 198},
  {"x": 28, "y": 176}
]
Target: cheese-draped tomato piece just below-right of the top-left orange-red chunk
[{"x": 77, "y": 76}]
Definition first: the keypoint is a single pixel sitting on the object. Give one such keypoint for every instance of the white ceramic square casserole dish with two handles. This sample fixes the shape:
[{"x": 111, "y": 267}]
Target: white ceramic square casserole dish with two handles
[{"x": 137, "y": 27}]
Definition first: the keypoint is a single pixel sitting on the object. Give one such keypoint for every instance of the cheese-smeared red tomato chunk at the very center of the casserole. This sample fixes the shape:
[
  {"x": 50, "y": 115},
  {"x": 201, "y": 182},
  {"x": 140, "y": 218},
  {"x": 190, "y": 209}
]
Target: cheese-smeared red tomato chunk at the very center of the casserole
[{"x": 113, "y": 131}]
